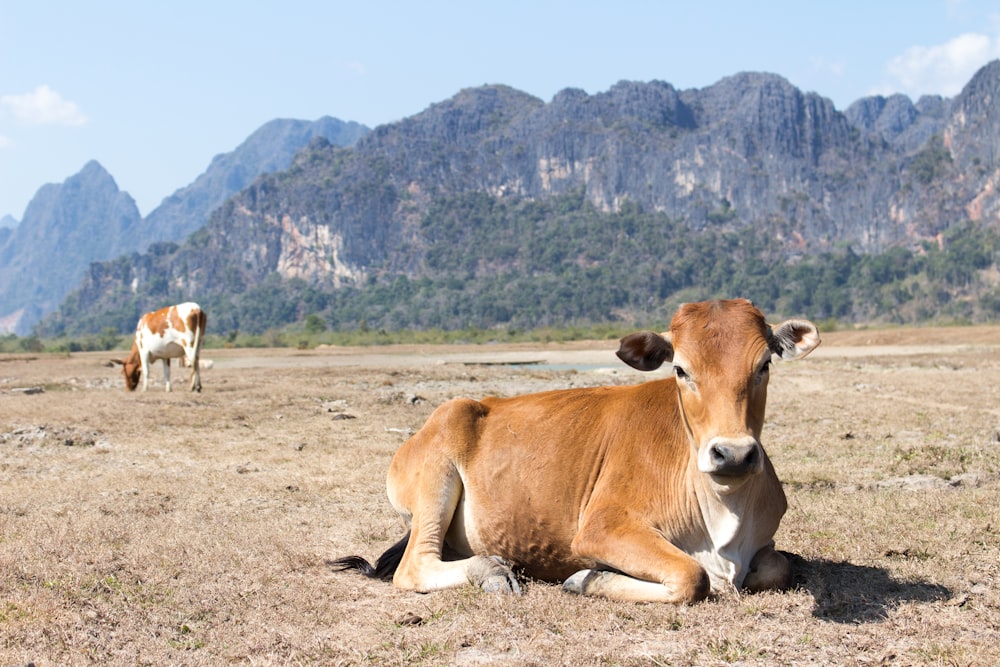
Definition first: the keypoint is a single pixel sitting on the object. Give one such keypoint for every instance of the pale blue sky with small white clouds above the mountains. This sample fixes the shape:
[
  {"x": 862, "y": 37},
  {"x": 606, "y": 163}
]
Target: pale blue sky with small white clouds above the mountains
[{"x": 153, "y": 90}]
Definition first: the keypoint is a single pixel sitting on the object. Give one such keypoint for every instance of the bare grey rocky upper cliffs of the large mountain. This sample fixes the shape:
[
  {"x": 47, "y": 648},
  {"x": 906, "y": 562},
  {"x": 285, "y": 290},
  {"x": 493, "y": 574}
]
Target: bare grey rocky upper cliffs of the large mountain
[{"x": 750, "y": 152}]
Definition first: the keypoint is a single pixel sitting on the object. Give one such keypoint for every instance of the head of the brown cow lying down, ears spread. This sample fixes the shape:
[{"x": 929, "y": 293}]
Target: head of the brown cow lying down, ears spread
[{"x": 721, "y": 353}]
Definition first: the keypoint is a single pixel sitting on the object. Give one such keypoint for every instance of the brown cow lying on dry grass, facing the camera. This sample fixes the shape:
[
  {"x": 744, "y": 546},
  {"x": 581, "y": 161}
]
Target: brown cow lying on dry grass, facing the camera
[{"x": 659, "y": 491}]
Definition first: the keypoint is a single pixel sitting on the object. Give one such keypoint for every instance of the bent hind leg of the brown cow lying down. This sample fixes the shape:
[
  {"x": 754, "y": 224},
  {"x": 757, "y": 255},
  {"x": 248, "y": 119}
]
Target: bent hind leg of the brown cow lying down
[{"x": 425, "y": 487}]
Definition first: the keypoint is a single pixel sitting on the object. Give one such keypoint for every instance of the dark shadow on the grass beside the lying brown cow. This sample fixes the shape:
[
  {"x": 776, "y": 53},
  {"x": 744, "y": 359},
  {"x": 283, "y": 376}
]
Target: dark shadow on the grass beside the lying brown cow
[{"x": 848, "y": 593}]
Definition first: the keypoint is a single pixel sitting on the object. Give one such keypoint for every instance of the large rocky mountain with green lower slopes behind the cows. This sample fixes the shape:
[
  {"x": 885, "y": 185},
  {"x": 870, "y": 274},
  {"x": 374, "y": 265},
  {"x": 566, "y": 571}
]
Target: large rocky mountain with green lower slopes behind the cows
[{"x": 496, "y": 209}]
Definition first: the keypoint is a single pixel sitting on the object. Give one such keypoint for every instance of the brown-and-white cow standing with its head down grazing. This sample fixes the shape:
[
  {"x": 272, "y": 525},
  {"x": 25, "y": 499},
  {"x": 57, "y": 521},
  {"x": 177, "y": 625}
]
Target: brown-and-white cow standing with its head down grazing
[{"x": 175, "y": 331}]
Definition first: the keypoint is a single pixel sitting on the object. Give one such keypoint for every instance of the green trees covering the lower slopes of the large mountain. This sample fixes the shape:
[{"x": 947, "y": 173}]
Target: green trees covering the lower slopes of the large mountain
[{"x": 525, "y": 265}]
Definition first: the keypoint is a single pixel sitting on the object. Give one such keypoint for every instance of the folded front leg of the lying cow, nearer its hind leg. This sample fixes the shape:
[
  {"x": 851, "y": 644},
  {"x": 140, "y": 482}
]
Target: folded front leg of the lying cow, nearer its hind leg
[{"x": 641, "y": 566}]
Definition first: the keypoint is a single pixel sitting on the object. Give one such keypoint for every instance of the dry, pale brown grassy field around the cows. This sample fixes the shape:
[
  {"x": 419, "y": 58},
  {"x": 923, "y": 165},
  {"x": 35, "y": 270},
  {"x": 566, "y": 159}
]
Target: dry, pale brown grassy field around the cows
[{"x": 186, "y": 529}]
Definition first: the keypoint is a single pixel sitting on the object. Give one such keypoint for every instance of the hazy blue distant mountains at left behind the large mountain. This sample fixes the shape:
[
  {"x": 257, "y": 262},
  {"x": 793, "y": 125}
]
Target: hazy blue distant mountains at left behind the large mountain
[{"x": 85, "y": 219}]
